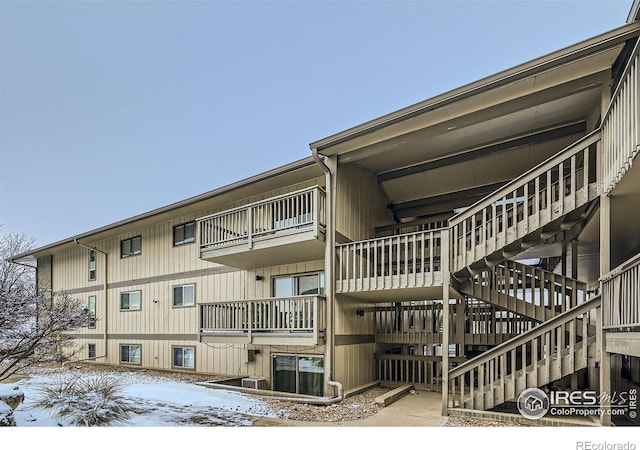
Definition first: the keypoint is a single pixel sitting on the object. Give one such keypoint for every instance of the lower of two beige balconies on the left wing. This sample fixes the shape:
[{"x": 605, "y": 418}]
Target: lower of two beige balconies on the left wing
[{"x": 273, "y": 321}]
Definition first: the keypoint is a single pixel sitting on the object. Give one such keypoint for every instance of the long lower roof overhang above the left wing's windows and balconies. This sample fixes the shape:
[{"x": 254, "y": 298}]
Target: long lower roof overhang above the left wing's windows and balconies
[{"x": 296, "y": 172}]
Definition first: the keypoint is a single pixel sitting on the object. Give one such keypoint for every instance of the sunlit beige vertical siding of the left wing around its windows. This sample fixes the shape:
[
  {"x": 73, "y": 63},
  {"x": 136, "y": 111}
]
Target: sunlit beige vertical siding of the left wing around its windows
[{"x": 155, "y": 272}]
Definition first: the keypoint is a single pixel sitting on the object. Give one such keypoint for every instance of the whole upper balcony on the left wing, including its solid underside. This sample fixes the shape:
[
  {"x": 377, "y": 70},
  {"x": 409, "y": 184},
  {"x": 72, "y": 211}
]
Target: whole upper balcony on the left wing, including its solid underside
[{"x": 280, "y": 230}]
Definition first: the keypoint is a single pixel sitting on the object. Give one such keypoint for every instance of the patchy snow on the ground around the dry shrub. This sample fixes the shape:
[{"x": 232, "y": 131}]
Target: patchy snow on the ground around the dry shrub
[{"x": 160, "y": 402}]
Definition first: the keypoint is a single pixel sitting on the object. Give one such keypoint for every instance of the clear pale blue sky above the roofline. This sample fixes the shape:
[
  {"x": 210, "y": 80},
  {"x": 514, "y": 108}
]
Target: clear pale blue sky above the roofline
[{"x": 109, "y": 109}]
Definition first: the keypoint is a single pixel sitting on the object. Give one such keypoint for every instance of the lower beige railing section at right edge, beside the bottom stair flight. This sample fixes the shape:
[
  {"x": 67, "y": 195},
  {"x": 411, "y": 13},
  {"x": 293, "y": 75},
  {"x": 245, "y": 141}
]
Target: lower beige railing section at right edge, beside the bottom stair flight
[{"x": 621, "y": 295}]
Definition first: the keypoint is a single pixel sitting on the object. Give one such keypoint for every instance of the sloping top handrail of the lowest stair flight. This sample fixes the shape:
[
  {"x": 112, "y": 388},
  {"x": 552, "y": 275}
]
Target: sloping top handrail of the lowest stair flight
[{"x": 524, "y": 338}]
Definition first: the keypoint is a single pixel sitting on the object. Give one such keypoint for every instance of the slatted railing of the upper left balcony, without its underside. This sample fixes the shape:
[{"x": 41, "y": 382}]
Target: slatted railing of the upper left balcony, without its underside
[{"x": 297, "y": 211}]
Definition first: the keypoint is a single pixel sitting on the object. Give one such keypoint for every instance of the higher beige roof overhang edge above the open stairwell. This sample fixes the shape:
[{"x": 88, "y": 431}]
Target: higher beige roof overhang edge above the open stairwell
[{"x": 589, "y": 55}]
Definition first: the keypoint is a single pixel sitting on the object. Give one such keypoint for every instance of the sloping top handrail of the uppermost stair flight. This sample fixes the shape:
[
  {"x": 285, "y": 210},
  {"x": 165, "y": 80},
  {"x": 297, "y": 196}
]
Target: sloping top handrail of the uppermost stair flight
[{"x": 563, "y": 154}]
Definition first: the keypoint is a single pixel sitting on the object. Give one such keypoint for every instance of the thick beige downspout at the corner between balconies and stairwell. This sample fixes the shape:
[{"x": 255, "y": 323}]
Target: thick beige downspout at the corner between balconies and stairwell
[{"x": 329, "y": 277}]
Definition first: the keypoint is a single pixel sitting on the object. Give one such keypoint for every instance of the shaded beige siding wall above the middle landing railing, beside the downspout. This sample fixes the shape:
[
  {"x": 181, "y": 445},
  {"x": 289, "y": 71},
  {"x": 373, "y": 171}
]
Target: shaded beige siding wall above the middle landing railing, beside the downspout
[{"x": 361, "y": 204}]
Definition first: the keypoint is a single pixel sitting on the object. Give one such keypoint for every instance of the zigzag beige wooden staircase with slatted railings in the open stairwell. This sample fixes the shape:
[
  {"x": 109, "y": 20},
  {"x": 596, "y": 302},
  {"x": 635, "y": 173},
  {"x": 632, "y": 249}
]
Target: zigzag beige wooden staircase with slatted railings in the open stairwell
[{"x": 549, "y": 199}]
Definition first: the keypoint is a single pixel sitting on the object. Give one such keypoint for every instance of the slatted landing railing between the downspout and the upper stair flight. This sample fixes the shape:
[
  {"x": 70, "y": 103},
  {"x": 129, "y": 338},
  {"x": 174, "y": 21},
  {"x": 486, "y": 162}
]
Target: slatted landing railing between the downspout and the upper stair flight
[{"x": 403, "y": 261}]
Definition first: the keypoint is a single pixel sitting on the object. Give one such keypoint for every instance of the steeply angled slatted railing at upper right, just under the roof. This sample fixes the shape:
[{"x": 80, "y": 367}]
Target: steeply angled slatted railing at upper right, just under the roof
[{"x": 620, "y": 126}]
